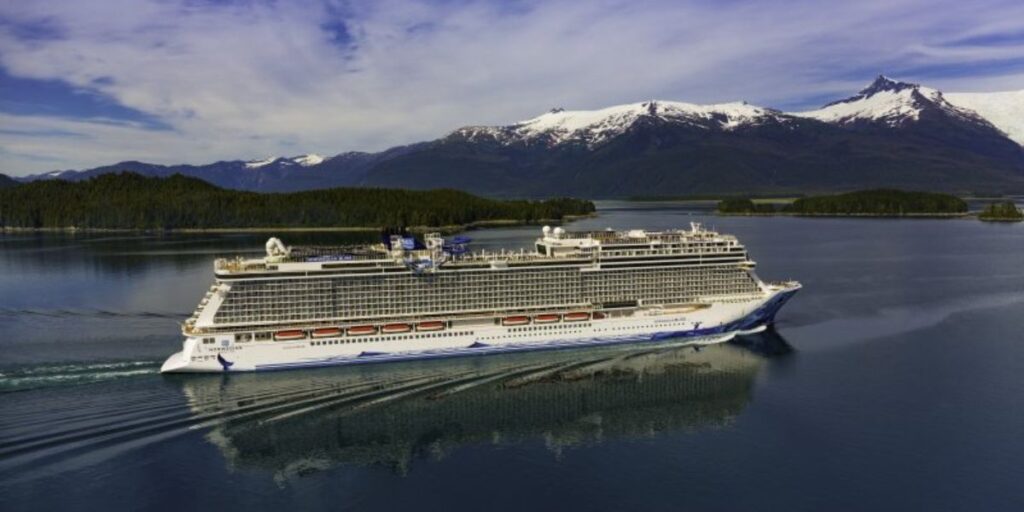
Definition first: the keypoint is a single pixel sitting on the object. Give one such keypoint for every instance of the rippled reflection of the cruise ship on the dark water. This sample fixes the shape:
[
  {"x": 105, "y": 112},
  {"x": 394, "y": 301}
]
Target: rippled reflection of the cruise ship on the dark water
[{"x": 301, "y": 422}]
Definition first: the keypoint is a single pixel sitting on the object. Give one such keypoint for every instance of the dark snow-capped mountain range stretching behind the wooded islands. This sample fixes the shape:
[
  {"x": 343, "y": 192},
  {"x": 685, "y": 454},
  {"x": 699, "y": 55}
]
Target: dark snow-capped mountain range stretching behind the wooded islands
[{"x": 891, "y": 135}]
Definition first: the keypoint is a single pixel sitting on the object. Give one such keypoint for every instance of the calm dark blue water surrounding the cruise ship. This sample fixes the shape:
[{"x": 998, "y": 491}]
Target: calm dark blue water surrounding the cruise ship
[{"x": 895, "y": 381}]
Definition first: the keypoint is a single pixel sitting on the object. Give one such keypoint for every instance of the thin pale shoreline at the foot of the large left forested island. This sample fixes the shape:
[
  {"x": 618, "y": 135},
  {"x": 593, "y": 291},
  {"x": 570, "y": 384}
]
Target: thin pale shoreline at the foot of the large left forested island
[{"x": 479, "y": 225}]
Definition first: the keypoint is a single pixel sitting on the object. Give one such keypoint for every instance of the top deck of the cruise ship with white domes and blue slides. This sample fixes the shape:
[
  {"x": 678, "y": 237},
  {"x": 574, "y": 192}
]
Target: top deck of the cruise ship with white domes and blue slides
[{"x": 554, "y": 247}]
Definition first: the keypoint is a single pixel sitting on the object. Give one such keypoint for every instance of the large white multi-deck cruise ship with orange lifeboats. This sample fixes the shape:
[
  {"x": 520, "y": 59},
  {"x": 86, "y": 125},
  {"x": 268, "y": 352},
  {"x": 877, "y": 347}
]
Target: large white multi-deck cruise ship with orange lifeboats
[{"x": 406, "y": 300}]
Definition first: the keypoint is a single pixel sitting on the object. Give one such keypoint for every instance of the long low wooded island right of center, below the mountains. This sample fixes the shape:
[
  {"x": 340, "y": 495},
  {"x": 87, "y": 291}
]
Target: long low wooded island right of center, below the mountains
[{"x": 879, "y": 202}]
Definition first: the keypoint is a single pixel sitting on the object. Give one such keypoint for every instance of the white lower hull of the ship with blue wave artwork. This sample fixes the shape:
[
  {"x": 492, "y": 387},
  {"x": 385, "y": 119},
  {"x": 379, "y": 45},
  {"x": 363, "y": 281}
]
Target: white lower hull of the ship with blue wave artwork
[{"x": 719, "y": 323}]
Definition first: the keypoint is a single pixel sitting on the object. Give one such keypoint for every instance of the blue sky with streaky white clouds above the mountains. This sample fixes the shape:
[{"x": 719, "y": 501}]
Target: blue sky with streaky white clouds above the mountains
[{"x": 91, "y": 83}]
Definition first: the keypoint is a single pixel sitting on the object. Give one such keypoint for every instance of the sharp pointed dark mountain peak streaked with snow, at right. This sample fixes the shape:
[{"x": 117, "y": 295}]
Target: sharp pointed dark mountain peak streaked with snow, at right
[{"x": 890, "y": 103}]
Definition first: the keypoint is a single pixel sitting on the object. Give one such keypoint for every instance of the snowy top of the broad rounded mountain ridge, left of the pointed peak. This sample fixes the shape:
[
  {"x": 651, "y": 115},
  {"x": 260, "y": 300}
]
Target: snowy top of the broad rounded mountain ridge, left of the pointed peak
[{"x": 560, "y": 126}]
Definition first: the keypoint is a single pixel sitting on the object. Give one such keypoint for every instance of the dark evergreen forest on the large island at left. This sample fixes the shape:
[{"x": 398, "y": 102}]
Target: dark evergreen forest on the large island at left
[{"x": 130, "y": 201}]
